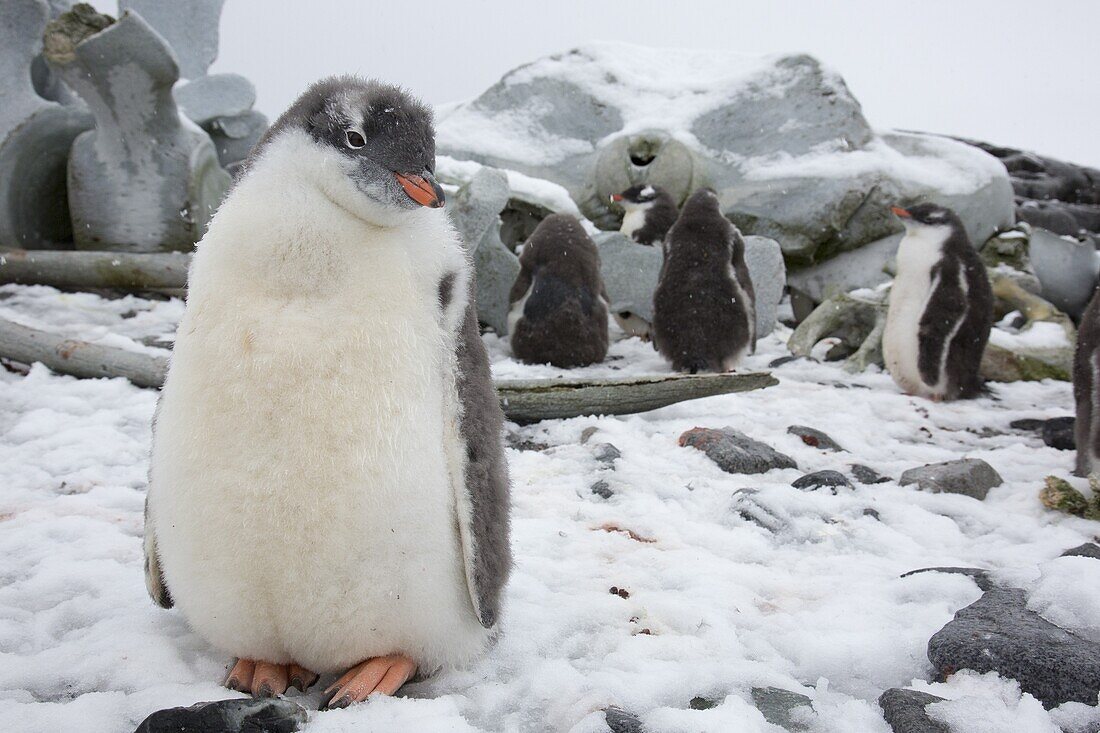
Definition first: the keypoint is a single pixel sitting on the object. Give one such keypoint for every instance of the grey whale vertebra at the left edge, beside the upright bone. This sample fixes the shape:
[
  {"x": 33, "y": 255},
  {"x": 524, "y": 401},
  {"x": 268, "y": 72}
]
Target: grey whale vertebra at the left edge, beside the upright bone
[{"x": 36, "y": 137}]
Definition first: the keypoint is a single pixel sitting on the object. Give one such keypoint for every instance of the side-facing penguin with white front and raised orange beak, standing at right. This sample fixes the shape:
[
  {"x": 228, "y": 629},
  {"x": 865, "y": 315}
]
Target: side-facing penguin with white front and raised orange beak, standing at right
[{"x": 941, "y": 308}]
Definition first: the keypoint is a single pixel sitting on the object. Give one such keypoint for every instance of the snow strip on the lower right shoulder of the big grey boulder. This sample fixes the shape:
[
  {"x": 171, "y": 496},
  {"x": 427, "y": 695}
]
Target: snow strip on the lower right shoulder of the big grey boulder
[{"x": 940, "y": 165}]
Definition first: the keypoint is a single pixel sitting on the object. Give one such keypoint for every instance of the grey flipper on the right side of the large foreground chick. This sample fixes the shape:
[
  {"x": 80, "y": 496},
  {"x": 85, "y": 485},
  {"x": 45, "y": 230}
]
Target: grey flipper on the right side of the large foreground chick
[{"x": 483, "y": 496}]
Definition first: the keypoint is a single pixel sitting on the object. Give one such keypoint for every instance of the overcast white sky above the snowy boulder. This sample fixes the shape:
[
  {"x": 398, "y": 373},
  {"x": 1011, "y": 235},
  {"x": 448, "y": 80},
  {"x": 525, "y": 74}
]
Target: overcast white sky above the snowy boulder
[{"x": 1017, "y": 73}]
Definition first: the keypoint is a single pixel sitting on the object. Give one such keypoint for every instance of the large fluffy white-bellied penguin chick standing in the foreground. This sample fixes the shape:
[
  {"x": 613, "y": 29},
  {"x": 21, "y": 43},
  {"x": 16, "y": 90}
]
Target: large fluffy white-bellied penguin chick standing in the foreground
[{"x": 328, "y": 490}]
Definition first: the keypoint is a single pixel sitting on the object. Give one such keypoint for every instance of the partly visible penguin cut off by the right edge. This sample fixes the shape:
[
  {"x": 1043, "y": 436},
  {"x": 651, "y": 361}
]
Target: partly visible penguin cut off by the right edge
[{"x": 1087, "y": 390}]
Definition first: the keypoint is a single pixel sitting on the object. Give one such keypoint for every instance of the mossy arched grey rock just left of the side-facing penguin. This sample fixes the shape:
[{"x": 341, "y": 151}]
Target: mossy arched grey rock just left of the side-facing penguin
[{"x": 857, "y": 320}]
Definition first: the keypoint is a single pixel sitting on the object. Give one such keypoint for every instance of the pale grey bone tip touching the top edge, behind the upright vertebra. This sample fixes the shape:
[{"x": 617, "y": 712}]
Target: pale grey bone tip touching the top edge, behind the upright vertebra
[{"x": 191, "y": 30}]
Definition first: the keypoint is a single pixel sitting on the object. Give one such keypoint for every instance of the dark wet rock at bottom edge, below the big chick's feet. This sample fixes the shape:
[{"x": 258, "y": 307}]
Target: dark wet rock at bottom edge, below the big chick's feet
[{"x": 236, "y": 716}]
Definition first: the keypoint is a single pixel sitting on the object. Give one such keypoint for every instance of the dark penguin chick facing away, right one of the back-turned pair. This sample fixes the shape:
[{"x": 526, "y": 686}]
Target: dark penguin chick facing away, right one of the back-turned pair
[{"x": 705, "y": 308}]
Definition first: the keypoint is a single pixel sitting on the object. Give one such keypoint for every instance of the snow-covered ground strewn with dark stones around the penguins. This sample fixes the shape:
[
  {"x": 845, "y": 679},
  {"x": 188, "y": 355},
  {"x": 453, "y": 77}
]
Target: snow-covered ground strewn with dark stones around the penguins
[{"x": 717, "y": 605}]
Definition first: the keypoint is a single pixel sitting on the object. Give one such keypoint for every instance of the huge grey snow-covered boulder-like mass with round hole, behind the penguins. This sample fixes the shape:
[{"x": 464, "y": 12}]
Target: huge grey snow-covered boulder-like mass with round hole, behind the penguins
[{"x": 782, "y": 139}]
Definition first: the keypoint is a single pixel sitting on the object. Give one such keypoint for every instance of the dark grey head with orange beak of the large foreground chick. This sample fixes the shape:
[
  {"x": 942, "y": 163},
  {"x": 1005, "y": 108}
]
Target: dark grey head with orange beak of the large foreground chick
[{"x": 382, "y": 138}]
